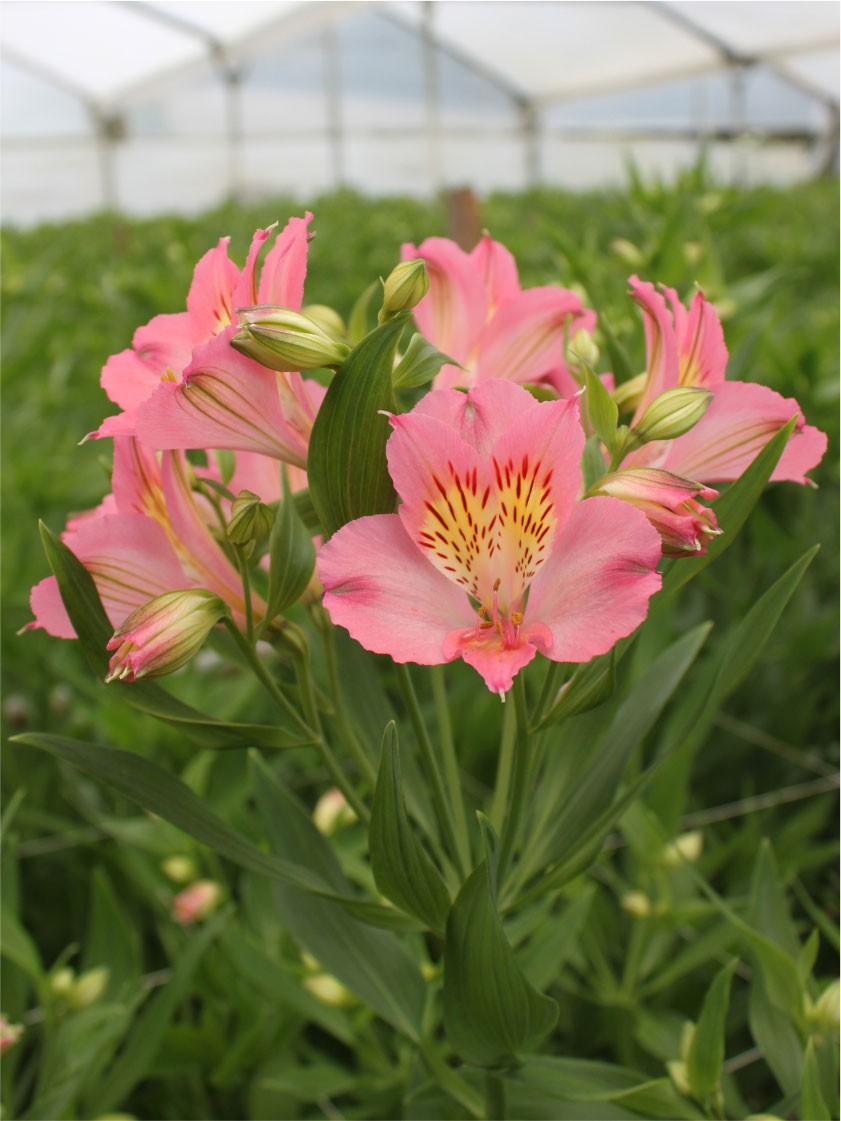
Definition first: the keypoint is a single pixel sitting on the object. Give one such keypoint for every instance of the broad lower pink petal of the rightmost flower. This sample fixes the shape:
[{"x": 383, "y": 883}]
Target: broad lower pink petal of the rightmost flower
[{"x": 741, "y": 421}]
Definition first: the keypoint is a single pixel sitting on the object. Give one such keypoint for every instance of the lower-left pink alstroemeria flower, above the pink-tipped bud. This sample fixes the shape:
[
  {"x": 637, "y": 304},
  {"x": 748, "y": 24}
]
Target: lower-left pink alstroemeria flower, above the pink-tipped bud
[{"x": 151, "y": 536}]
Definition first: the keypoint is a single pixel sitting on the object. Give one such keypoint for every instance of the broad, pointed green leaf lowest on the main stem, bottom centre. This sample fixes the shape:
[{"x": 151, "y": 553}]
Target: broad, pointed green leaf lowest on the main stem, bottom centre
[{"x": 492, "y": 1012}]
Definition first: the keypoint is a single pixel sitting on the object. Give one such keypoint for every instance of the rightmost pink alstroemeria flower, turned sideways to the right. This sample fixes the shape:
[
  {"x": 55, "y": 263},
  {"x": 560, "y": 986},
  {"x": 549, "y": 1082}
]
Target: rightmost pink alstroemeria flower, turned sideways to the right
[{"x": 688, "y": 349}]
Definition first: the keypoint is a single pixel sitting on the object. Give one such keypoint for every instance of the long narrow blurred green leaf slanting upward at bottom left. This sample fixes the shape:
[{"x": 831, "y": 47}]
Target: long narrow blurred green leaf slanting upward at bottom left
[{"x": 150, "y": 1029}]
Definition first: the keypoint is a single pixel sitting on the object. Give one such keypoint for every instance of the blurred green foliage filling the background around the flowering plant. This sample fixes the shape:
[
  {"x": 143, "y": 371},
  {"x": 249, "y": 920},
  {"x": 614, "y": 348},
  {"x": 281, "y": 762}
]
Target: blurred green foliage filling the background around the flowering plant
[{"x": 217, "y": 1022}]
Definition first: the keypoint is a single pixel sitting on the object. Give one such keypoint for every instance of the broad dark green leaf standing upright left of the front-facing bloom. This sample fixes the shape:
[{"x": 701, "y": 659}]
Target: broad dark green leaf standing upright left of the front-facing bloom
[{"x": 347, "y": 462}]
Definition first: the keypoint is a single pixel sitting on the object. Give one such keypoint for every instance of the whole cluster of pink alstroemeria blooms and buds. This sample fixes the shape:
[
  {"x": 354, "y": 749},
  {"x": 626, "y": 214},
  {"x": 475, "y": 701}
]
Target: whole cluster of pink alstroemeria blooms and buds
[{"x": 498, "y": 549}]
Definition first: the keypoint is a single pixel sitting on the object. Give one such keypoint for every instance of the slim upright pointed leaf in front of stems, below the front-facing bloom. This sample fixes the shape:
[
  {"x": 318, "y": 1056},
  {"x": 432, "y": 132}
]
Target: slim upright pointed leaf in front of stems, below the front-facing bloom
[{"x": 402, "y": 868}]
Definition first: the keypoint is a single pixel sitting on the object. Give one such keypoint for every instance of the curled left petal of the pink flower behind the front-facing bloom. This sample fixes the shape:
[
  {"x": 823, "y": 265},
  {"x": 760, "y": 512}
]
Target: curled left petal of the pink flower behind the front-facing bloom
[{"x": 454, "y": 312}]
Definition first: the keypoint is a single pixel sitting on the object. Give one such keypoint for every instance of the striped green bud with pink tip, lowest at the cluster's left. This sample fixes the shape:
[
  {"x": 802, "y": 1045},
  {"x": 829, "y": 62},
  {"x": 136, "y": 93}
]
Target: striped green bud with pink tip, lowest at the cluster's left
[{"x": 164, "y": 634}]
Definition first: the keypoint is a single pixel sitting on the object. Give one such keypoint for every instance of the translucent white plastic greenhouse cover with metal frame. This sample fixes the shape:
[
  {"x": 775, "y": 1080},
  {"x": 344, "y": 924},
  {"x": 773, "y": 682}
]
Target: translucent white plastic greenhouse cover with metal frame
[{"x": 150, "y": 105}]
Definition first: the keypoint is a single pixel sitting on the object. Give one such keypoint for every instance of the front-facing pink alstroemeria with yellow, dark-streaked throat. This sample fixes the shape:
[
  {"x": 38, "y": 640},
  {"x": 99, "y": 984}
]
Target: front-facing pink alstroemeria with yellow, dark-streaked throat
[{"x": 492, "y": 557}]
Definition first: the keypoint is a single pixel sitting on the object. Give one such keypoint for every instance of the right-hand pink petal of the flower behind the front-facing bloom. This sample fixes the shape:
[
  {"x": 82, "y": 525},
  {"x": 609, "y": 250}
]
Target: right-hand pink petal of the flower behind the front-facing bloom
[{"x": 525, "y": 339}]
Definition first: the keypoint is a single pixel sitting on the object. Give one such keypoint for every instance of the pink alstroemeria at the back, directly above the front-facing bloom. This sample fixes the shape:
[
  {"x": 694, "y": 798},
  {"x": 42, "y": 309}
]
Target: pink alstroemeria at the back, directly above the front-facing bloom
[{"x": 477, "y": 314}]
